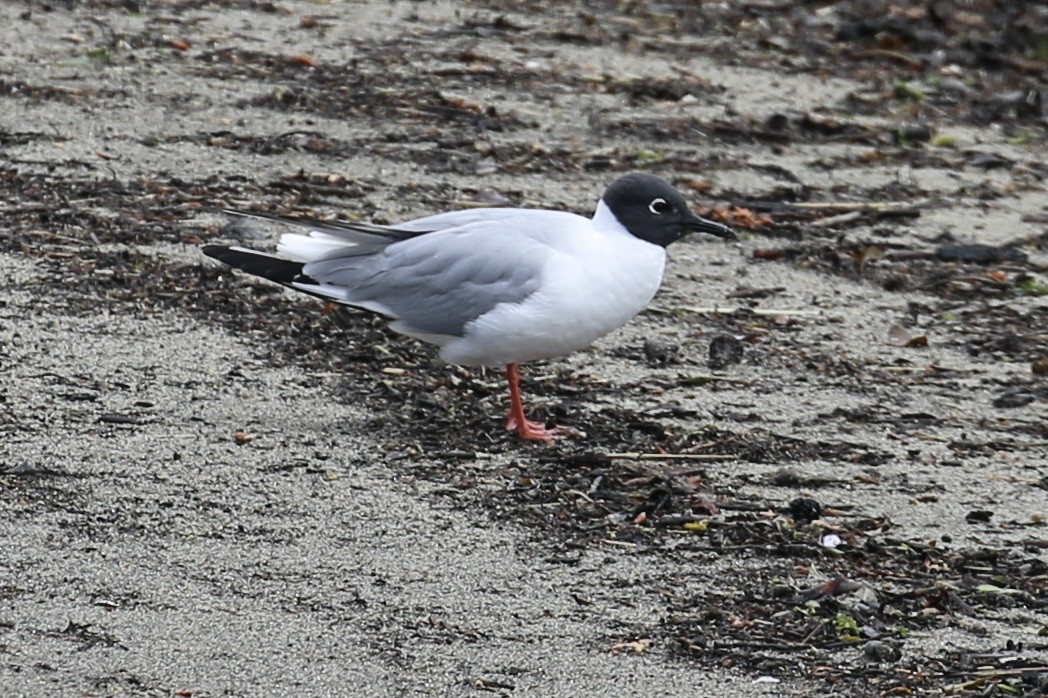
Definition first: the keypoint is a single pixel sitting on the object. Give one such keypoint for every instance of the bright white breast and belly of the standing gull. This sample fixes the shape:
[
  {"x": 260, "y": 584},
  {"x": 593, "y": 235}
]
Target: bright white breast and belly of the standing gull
[{"x": 578, "y": 304}]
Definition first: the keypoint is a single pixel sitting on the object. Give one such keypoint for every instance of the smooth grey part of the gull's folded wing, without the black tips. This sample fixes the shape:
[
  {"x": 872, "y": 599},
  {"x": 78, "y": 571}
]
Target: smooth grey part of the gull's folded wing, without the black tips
[{"x": 438, "y": 283}]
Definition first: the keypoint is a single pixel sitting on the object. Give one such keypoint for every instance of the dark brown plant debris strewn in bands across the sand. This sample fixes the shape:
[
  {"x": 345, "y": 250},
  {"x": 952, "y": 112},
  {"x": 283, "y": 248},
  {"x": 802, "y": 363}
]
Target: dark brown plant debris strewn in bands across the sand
[{"x": 832, "y": 594}]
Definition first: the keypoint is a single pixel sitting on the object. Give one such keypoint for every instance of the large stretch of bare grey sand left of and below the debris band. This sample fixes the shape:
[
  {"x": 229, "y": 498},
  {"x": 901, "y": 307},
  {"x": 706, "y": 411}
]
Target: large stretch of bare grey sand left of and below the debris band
[{"x": 164, "y": 557}]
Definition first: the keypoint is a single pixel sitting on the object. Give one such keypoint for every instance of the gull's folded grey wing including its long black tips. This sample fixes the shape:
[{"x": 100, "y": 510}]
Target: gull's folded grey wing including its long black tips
[{"x": 434, "y": 276}]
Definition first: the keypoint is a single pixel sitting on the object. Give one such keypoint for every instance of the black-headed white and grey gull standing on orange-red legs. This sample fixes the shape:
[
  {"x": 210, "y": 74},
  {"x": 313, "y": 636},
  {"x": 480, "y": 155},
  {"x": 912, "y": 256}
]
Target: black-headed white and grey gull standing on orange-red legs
[{"x": 493, "y": 287}]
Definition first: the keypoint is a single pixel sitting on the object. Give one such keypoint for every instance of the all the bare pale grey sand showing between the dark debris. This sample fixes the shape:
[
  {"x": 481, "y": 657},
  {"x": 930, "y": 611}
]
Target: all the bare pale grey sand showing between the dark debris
[{"x": 147, "y": 553}]
